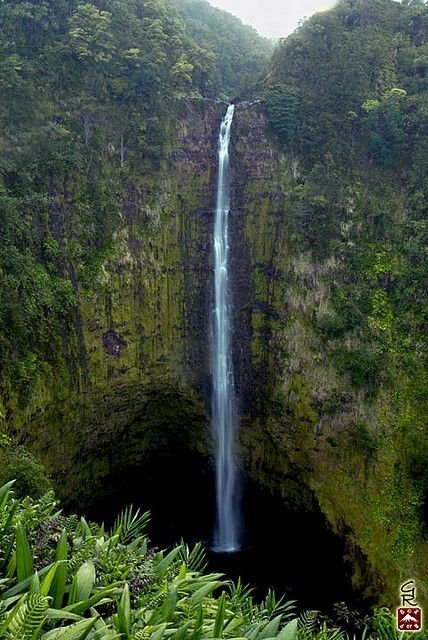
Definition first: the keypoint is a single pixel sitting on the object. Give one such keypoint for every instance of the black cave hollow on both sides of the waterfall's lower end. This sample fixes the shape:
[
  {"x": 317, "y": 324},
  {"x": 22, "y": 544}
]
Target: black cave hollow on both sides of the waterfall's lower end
[{"x": 292, "y": 551}]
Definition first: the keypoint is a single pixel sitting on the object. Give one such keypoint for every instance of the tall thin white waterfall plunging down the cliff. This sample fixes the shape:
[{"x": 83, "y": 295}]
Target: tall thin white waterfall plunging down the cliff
[{"x": 226, "y": 538}]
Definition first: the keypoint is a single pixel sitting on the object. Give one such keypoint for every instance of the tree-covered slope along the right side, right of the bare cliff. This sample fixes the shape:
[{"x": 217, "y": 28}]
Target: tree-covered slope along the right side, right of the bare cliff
[{"x": 347, "y": 102}]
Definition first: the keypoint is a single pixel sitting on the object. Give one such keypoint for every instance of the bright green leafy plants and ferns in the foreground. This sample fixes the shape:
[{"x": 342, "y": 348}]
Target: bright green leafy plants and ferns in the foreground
[{"x": 64, "y": 578}]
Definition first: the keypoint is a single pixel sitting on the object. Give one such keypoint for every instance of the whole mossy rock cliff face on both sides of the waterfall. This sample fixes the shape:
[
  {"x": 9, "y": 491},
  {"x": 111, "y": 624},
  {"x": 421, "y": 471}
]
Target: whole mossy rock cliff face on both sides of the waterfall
[{"x": 135, "y": 382}]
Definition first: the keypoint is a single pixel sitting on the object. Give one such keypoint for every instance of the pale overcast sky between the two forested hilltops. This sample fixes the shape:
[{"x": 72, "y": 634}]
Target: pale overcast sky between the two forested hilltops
[{"x": 272, "y": 18}]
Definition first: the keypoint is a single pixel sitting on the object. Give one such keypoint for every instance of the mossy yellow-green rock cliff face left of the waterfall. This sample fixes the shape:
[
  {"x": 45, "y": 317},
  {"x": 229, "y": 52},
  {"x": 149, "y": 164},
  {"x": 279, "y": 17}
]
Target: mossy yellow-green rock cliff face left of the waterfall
[{"x": 137, "y": 349}]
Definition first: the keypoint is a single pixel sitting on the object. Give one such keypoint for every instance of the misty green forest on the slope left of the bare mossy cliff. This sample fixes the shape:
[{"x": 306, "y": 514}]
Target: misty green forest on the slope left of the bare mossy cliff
[{"x": 87, "y": 96}]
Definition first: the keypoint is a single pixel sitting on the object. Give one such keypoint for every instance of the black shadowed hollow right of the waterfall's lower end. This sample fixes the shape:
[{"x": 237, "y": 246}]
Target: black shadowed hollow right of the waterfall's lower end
[{"x": 292, "y": 551}]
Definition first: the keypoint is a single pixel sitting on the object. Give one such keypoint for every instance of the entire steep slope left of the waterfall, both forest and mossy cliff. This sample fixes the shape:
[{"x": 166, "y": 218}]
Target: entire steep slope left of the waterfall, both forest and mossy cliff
[{"x": 104, "y": 174}]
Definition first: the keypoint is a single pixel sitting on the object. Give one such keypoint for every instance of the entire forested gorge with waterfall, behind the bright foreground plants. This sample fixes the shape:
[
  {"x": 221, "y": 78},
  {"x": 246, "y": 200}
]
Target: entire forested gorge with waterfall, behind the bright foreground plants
[{"x": 109, "y": 191}]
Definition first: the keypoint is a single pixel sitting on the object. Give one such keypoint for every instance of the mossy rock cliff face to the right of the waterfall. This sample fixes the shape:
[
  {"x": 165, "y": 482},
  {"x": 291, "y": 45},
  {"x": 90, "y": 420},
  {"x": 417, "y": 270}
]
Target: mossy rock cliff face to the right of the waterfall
[{"x": 311, "y": 430}]
